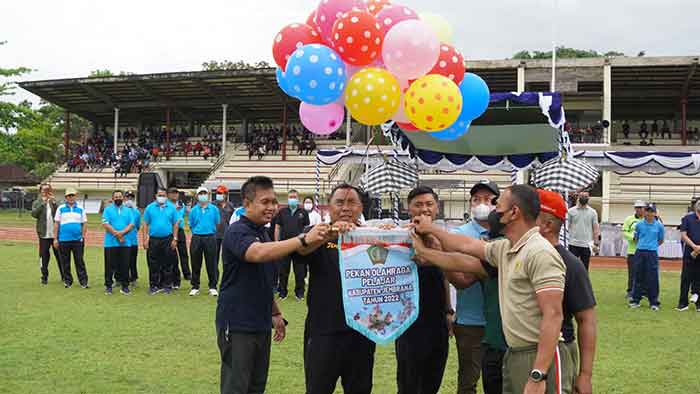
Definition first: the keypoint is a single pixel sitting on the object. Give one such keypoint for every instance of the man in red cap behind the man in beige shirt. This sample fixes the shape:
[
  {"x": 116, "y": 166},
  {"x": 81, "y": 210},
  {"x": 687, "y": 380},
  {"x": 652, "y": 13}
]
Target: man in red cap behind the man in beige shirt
[{"x": 579, "y": 301}]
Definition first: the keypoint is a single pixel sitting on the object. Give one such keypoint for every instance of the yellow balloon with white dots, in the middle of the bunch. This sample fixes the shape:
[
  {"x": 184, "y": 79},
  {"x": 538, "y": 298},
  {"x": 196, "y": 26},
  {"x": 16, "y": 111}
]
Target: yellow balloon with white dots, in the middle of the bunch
[{"x": 372, "y": 96}]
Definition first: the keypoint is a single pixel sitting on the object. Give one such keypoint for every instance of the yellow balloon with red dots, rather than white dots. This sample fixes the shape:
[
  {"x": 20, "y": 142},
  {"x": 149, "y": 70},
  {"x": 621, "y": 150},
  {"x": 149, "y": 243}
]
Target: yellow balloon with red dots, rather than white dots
[{"x": 433, "y": 102}]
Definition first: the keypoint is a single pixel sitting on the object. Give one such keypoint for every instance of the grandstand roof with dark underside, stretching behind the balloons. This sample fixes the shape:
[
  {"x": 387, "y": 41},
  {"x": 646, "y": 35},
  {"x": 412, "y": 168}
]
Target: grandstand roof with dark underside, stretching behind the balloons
[{"x": 642, "y": 85}]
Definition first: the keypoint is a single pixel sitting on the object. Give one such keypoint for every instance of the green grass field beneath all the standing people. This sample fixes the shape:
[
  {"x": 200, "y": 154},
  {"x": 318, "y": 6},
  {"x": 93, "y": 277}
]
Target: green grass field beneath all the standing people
[{"x": 56, "y": 340}]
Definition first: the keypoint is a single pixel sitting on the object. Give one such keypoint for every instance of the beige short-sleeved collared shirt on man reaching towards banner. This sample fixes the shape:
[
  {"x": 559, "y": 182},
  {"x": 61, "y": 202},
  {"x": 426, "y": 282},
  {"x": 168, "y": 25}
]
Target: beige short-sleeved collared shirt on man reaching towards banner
[{"x": 529, "y": 267}]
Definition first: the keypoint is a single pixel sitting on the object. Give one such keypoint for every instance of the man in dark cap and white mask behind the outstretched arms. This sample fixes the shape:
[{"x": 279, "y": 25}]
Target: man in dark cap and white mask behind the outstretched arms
[{"x": 470, "y": 321}]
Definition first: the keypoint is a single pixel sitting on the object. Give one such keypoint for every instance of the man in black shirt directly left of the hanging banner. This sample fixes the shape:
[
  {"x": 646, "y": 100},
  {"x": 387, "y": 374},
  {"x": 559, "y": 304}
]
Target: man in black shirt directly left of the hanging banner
[{"x": 333, "y": 350}]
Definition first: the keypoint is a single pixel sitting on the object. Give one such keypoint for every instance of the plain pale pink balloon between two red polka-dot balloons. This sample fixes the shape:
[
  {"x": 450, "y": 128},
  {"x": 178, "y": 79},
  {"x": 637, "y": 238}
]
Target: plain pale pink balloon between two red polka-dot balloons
[{"x": 411, "y": 49}]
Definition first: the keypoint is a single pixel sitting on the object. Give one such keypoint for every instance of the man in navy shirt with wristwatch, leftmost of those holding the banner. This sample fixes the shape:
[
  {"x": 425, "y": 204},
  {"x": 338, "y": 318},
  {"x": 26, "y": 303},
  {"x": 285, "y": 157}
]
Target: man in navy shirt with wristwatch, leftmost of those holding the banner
[{"x": 246, "y": 309}]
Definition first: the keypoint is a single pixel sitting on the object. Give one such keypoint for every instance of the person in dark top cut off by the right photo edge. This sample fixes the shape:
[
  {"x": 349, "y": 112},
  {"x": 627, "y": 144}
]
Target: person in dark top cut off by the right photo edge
[{"x": 690, "y": 234}]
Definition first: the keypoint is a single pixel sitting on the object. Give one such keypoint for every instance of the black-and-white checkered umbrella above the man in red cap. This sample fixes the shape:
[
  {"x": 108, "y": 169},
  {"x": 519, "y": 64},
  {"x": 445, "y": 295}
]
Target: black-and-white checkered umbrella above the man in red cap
[{"x": 565, "y": 175}]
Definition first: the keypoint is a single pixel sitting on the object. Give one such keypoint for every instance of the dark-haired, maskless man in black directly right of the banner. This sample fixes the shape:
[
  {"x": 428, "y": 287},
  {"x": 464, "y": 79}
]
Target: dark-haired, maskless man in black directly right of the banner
[{"x": 421, "y": 352}]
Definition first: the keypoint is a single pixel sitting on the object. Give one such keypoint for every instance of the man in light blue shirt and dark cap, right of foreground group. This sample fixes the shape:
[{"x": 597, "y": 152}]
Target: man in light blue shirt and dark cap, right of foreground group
[{"x": 649, "y": 234}]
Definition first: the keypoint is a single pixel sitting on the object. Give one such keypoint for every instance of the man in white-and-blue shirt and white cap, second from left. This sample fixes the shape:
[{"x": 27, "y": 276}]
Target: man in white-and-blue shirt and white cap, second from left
[{"x": 70, "y": 230}]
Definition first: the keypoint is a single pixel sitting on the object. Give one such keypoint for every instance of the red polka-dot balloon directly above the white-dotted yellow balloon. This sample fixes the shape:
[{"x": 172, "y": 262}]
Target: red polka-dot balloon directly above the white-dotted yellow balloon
[{"x": 357, "y": 37}]
